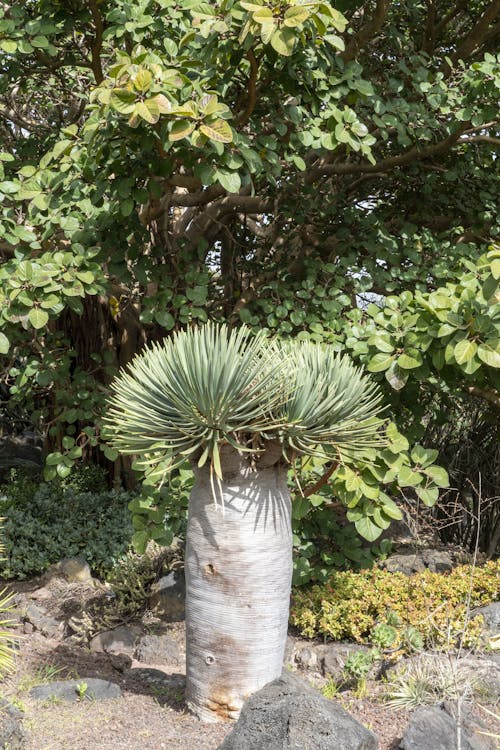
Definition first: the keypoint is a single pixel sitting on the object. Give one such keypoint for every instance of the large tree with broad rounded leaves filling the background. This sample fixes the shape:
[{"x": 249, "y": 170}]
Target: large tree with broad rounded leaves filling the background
[{"x": 281, "y": 165}]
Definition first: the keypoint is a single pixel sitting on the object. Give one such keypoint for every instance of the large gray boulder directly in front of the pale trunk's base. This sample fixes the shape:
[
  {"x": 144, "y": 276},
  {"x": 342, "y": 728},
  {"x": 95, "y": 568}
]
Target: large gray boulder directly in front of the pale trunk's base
[{"x": 287, "y": 714}]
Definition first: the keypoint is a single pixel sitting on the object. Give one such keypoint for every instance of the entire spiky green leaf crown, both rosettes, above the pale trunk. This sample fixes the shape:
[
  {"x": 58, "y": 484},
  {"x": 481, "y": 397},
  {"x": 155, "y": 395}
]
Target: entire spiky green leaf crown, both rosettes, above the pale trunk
[{"x": 209, "y": 386}]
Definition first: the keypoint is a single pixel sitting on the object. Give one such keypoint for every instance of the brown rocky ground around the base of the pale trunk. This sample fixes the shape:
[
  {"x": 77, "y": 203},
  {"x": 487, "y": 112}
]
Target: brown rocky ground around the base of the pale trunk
[{"x": 145, "y": 660}]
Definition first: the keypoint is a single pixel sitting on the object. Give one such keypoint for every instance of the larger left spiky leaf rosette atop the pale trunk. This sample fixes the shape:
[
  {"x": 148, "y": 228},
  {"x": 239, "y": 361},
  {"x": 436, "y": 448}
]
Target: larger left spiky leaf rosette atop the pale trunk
[{"x": 185, "y": 397}]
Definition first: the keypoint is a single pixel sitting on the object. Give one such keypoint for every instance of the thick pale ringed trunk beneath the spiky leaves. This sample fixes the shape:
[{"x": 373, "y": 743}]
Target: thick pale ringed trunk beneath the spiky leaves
[{"x": 238, "y": 575}]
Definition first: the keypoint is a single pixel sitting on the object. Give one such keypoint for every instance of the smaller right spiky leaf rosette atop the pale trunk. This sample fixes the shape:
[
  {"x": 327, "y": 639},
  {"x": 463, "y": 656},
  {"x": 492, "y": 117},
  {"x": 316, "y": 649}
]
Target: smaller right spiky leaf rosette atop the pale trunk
[{"x": 332, "y": 405}]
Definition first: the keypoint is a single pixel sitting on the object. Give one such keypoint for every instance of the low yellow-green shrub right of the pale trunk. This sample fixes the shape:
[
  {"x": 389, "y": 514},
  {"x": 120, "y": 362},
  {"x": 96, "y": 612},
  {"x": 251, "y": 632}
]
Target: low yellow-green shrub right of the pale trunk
[{"x": 350, "y": 604}]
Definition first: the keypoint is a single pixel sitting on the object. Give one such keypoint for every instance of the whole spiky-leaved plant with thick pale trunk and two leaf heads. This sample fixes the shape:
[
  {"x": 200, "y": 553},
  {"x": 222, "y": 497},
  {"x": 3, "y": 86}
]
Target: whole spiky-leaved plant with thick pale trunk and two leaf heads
[{"x": 240, "y": 407}]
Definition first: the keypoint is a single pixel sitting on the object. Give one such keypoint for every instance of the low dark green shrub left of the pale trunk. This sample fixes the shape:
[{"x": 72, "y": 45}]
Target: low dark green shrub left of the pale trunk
[{"x": 54, "y": 520}]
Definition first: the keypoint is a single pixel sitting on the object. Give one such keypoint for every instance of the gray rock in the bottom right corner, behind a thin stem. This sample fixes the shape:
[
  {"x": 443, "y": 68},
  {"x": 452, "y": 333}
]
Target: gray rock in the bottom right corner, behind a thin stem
[{"x": 436, "y": 727}]
